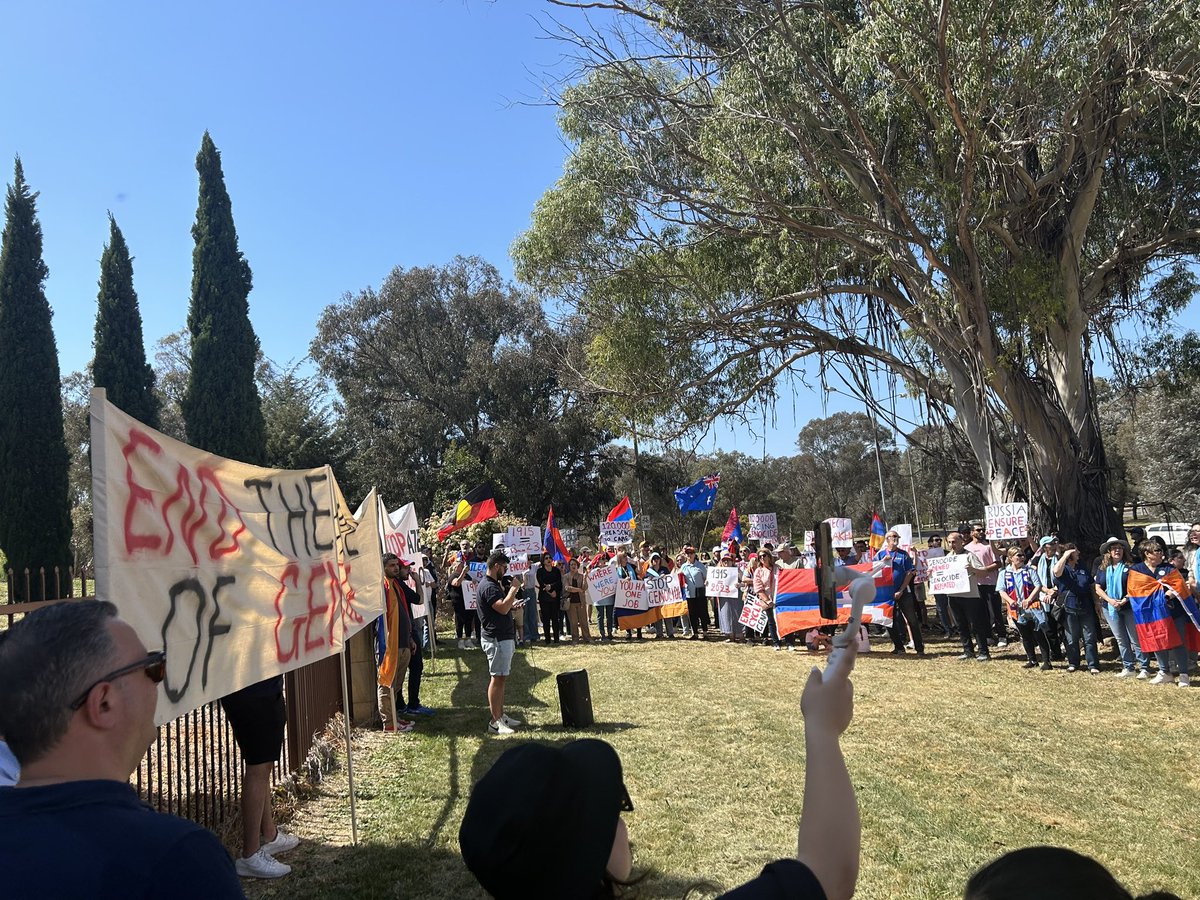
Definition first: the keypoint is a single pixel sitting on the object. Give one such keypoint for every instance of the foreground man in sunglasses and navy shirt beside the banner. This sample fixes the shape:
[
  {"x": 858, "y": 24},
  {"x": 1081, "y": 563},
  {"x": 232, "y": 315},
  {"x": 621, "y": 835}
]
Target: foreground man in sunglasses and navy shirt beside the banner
[{"x": 81, "y": 692}]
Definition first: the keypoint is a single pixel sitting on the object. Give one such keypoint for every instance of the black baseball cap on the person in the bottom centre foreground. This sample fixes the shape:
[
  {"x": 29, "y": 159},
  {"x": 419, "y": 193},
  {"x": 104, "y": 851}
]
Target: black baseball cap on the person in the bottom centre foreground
[{"x": 575, "y": 793}]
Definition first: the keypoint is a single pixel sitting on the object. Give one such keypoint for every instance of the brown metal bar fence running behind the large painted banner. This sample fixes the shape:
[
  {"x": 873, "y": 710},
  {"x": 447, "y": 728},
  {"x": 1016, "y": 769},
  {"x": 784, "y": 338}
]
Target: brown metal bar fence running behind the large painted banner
[{"x": 194, "y": 766}]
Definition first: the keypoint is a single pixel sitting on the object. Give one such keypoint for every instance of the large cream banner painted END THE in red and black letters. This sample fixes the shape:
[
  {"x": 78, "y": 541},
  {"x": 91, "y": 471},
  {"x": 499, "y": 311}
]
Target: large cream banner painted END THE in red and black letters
[{"x": 238, "y": 573}]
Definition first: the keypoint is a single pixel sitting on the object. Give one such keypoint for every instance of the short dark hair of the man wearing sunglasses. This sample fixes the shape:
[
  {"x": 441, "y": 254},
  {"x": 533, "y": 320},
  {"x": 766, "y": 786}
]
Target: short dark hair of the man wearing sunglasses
[{"x": 47, "y": 659}]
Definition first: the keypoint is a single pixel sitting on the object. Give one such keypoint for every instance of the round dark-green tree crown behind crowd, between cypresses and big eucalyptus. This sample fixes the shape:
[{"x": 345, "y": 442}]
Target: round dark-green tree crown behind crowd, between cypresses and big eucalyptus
[{"x": 451, "y": 377}]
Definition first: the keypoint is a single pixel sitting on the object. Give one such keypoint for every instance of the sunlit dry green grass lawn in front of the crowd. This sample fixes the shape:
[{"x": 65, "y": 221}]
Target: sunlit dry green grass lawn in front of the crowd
[{"x": 953, "y": 763}]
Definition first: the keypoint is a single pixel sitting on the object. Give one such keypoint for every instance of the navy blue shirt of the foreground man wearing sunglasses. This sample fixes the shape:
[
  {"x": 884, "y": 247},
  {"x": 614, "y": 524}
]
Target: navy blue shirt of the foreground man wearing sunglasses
[{"x": 98, "y": 841}]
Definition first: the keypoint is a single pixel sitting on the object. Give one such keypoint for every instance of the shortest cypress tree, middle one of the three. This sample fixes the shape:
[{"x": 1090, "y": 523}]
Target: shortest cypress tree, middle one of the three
[{"x": 121, "y": 365}]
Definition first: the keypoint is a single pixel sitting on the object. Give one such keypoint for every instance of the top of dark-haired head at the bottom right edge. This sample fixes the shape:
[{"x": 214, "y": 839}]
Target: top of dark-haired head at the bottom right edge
[{"x": 1048, "y": 874}]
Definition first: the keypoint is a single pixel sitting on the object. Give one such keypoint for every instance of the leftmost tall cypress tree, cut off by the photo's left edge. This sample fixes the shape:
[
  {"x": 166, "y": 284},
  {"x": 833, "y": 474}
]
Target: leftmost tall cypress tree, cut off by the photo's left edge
[{"x": 35, "y": 513}]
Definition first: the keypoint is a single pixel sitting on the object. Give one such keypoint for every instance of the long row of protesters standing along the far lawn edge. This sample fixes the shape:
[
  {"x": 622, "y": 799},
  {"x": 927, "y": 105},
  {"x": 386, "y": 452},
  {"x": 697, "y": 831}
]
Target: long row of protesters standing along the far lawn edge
[{"x": 1036, "y": 592}]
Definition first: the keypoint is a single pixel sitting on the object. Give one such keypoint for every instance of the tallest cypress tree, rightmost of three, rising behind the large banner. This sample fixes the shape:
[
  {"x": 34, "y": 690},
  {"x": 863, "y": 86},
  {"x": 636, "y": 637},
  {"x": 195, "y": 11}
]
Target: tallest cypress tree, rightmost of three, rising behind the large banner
[{"x": 221, "y": 406}]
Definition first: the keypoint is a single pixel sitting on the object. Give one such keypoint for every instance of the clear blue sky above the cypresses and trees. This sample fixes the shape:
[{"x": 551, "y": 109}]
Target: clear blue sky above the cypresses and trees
[{"x": 401, "y": 134}]
